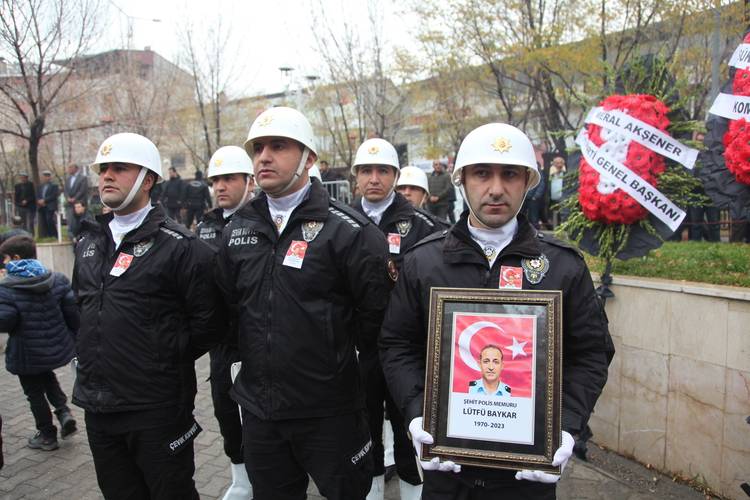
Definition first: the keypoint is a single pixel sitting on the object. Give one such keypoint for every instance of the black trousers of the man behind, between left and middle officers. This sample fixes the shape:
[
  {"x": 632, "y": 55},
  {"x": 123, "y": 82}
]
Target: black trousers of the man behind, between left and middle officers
[{"x": 226, "y": 410}]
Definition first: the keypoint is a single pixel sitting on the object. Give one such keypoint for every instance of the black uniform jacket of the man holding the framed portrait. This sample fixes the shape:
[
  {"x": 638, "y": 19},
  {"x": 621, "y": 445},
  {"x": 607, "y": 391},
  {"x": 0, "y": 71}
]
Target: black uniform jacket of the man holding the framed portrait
[{"x": 453, "y": 259}]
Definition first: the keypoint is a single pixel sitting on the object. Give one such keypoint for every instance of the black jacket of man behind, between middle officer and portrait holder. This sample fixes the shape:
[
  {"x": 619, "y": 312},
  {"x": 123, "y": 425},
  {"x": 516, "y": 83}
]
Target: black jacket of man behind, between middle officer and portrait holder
[{"x": 411, "y": 224}]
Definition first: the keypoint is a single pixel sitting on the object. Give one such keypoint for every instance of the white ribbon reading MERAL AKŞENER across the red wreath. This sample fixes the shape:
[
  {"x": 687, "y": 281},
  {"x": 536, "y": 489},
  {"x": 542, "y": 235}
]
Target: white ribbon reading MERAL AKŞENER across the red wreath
[{"x": 643, "y": 133}]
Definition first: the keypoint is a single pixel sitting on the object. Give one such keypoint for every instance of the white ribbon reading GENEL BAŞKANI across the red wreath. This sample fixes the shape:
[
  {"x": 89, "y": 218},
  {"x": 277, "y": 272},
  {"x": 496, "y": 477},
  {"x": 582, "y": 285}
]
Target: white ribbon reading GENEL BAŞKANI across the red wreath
[{"x": 643, "y": 192}]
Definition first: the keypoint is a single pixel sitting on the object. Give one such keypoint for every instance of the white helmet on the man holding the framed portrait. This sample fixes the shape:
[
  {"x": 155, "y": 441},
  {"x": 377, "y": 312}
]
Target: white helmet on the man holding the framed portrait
[{"x": 497, "y": 143}]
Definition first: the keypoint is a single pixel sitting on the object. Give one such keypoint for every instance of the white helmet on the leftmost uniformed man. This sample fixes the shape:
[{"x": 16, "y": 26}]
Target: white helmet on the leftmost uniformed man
[{"x": 129, "y": 148}]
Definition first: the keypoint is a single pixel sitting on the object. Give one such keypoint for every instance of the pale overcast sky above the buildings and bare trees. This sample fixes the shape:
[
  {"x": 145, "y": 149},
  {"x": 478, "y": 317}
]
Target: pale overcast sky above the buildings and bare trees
[{"x": 267, "y": 34}]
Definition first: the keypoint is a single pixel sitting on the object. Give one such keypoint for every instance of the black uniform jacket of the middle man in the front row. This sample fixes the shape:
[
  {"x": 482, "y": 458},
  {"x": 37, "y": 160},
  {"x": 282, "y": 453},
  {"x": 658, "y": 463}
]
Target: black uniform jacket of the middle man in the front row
[{"x": 298, "y": 328}]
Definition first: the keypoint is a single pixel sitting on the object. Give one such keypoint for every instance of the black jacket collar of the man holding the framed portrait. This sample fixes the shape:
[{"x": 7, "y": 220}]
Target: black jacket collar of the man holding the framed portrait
[{"x": 460, "y": 246}]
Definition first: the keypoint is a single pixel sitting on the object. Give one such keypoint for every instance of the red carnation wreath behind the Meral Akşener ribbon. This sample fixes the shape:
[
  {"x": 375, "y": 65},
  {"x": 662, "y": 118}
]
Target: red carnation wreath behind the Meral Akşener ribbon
[{"x": 617, "y": 207}]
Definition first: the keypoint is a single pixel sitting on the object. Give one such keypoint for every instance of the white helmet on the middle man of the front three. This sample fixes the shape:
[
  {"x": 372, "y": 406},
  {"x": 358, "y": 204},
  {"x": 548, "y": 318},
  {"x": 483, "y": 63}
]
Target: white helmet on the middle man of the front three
[{"x": 281, "y": 122}]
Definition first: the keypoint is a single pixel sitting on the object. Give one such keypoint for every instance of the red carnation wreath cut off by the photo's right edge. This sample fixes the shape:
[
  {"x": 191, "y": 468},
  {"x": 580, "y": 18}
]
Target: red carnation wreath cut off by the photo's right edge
[{"x": 737, "y": 137}]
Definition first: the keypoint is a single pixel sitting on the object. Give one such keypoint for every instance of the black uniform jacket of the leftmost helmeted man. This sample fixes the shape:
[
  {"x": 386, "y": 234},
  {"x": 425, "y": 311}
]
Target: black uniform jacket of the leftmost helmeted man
[{"x": 142, "y": 331}]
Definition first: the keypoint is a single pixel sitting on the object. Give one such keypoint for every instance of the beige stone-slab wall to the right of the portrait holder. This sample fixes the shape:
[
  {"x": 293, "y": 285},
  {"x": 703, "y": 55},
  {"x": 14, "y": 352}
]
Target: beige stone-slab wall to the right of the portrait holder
[{"x": 679, "y": 386}]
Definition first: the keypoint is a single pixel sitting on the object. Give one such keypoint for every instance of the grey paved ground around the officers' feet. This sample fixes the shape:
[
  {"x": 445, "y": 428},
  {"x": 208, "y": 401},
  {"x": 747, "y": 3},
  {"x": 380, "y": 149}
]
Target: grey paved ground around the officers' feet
[{"x": 68, "y": 472}]
